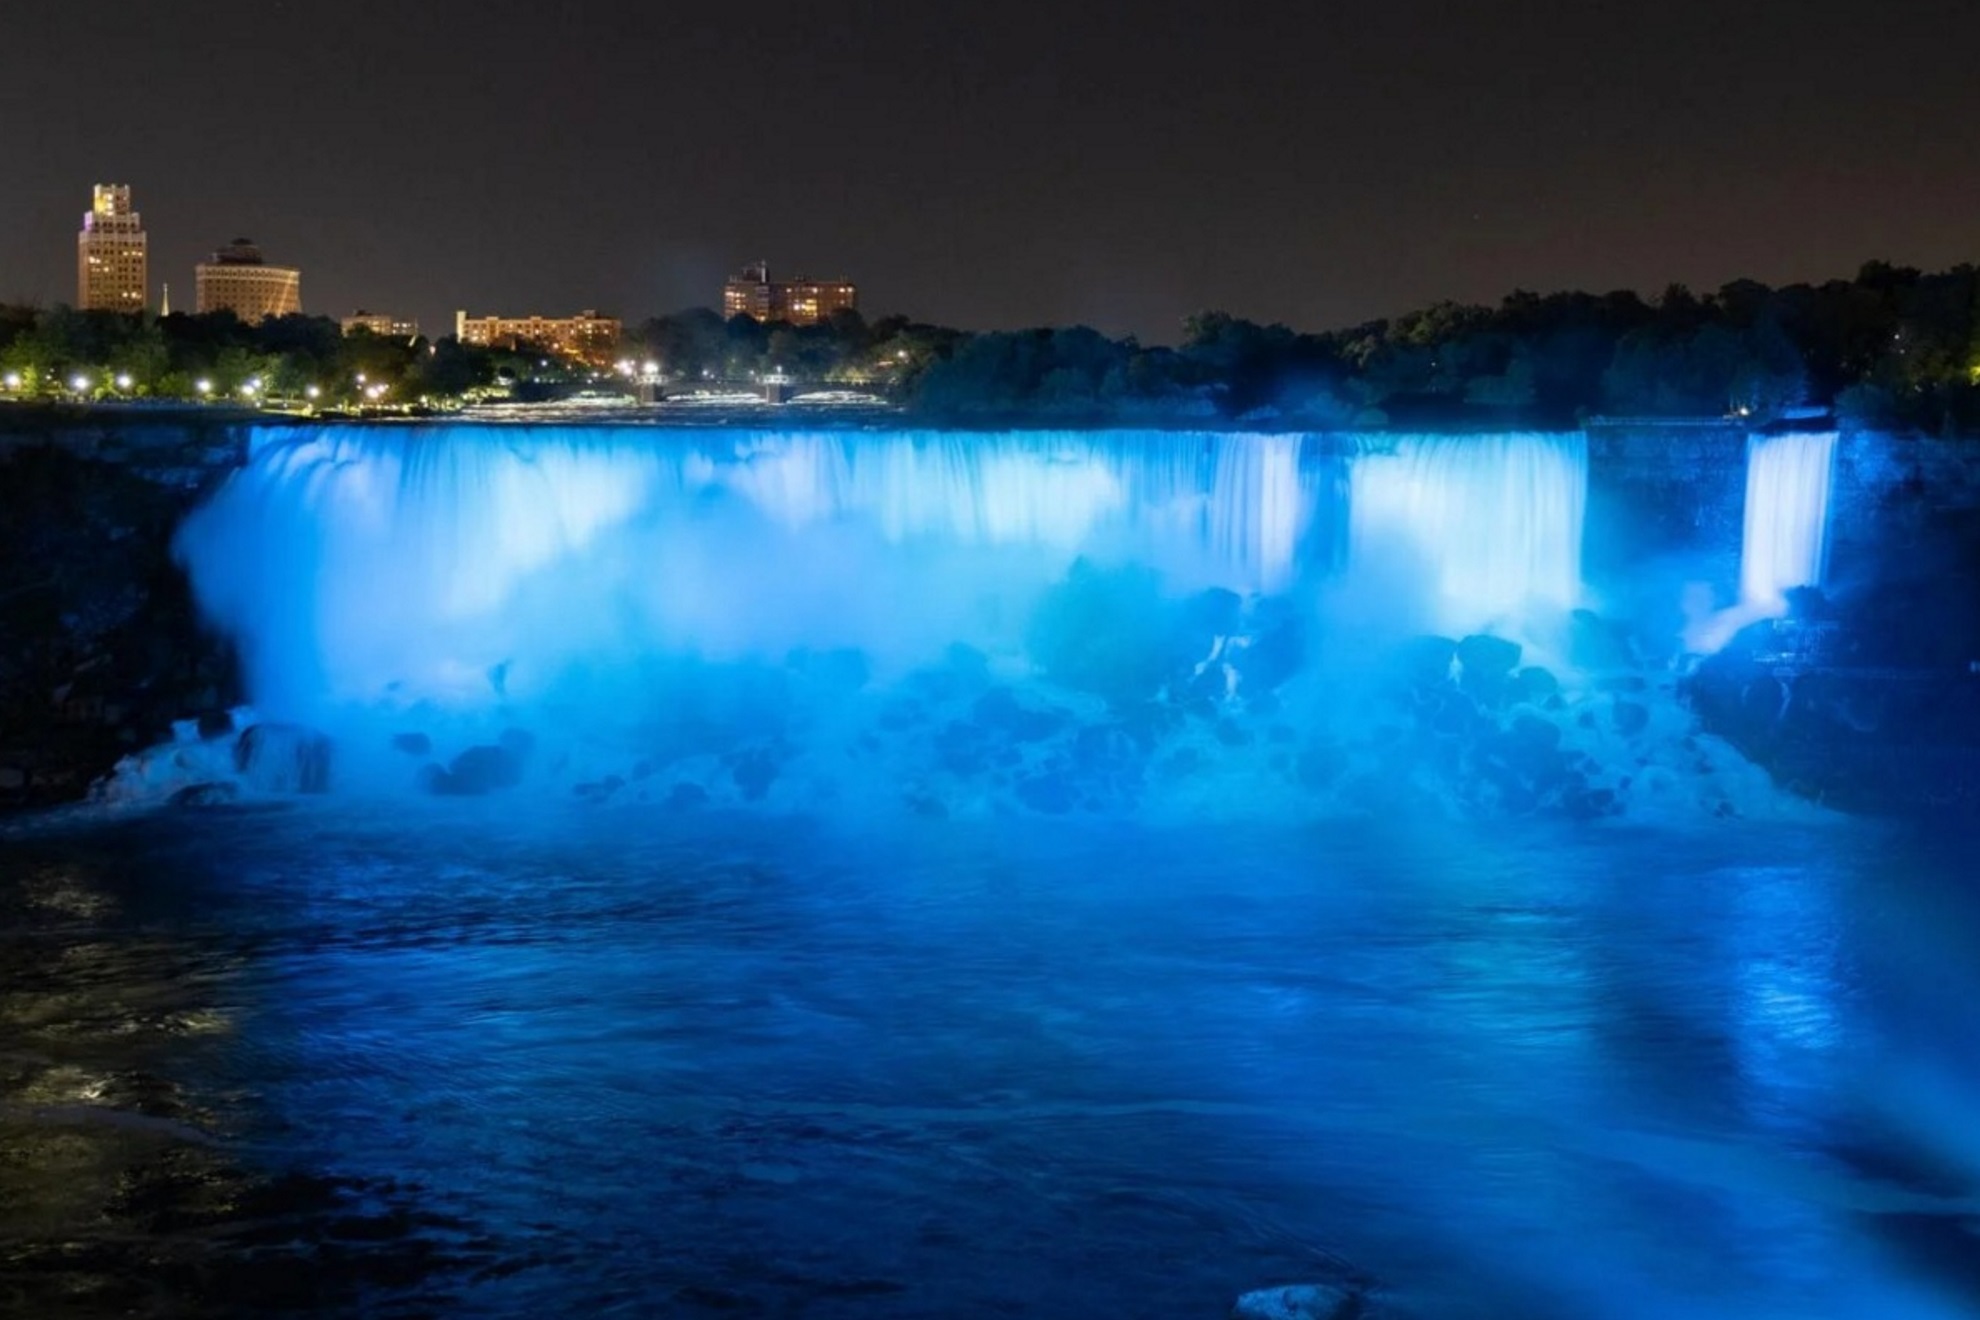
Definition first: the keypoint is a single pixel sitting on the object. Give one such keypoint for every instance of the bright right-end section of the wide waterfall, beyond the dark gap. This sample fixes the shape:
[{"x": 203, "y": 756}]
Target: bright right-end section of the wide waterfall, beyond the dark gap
[{"x": 1486, "y": 527}]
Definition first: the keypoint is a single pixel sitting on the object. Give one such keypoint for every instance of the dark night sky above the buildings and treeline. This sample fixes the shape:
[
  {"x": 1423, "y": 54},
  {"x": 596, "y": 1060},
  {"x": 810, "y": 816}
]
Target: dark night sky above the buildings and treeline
[{"x": 997, "y": 163}]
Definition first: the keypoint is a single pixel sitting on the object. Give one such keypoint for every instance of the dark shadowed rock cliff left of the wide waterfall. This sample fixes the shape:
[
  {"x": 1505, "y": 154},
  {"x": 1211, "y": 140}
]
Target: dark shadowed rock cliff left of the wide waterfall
[{"x": 100, "y": 644}]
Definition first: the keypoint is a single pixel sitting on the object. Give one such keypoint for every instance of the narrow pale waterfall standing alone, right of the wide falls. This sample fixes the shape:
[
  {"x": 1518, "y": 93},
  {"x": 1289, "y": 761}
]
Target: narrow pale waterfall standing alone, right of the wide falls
[{"x": 1787, "y": 518}]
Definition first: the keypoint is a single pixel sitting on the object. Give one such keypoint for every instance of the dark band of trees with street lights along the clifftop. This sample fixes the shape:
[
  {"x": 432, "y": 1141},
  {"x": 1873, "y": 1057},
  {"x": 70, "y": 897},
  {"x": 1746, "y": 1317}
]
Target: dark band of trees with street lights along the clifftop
[{"x": 1892, "y": 347}]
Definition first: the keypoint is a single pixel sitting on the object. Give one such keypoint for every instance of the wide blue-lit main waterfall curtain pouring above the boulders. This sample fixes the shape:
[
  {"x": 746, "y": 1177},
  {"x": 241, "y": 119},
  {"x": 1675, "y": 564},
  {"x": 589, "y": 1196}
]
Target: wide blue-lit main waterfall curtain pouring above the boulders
[{"x": 466, "y": 565}]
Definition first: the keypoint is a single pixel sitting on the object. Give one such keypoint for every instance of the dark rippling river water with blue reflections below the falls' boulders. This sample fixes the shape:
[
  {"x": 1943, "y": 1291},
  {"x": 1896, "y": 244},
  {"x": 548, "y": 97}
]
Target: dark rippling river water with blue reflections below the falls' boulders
[{"x": 347, "y": 1060}]
